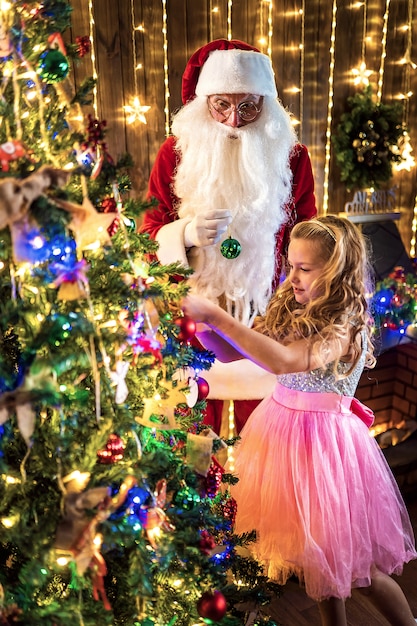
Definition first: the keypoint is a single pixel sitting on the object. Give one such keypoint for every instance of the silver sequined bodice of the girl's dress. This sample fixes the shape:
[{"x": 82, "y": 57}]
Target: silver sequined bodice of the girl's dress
[{"x": 322, "y": 380}]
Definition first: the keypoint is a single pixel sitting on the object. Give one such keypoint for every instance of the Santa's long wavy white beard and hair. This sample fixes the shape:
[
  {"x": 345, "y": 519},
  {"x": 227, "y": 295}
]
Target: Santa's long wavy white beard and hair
[{"x": 245, "y": 170}]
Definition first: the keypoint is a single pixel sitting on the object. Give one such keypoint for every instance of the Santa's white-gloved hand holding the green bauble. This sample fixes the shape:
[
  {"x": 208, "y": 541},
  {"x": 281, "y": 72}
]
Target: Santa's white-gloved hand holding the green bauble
[{"x": 205, "y": 230}]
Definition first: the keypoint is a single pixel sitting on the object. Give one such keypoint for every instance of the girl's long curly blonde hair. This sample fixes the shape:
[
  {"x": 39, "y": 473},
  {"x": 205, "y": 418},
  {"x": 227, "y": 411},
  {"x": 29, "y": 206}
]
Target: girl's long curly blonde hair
[{"x": 344, "y": 287}]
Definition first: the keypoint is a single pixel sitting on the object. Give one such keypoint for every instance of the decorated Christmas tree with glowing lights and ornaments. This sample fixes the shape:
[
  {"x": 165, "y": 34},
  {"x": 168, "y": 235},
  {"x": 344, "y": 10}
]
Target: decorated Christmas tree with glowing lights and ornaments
[{"x": 114, "y": 508}]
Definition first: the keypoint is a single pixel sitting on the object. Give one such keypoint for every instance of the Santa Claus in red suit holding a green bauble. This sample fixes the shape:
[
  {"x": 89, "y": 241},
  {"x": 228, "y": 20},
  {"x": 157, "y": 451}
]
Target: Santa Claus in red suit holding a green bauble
[{"x": 230, "y": 183}]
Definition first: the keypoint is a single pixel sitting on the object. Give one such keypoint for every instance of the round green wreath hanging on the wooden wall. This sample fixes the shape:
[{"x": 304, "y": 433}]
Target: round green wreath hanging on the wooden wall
[{"x": 366, "y": 141}]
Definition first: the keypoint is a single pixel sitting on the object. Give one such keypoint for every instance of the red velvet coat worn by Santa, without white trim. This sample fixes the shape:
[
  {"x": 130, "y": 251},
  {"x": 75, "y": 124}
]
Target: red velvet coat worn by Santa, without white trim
[{"x": 302, "y": 206}]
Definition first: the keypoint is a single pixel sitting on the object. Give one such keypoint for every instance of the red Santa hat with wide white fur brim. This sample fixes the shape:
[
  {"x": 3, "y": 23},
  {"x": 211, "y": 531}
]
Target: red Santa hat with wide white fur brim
[{"x": 228, "y": 66}]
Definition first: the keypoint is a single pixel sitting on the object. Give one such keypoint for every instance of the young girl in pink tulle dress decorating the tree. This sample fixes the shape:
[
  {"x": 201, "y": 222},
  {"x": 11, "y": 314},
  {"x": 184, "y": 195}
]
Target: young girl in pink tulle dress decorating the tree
[{"x": 312, "y": 481}]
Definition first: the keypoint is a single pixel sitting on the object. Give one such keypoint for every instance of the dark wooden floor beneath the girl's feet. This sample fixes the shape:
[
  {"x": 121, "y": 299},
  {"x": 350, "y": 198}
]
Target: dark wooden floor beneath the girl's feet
[{"x": 294, "y": 608}]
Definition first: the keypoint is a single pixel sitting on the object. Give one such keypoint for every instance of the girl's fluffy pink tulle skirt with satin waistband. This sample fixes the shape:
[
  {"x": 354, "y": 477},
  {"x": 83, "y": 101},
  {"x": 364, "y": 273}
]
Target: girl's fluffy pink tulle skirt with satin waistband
[{"x": 316, "y": 487}]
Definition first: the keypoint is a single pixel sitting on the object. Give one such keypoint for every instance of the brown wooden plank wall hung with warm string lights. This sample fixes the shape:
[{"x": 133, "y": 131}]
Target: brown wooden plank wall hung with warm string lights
[{"x": 188, "y": 24}]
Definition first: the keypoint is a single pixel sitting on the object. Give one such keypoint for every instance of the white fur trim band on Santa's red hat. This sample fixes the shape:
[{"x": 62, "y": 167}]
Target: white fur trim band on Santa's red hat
[{"x": 236, "y": 71}]
